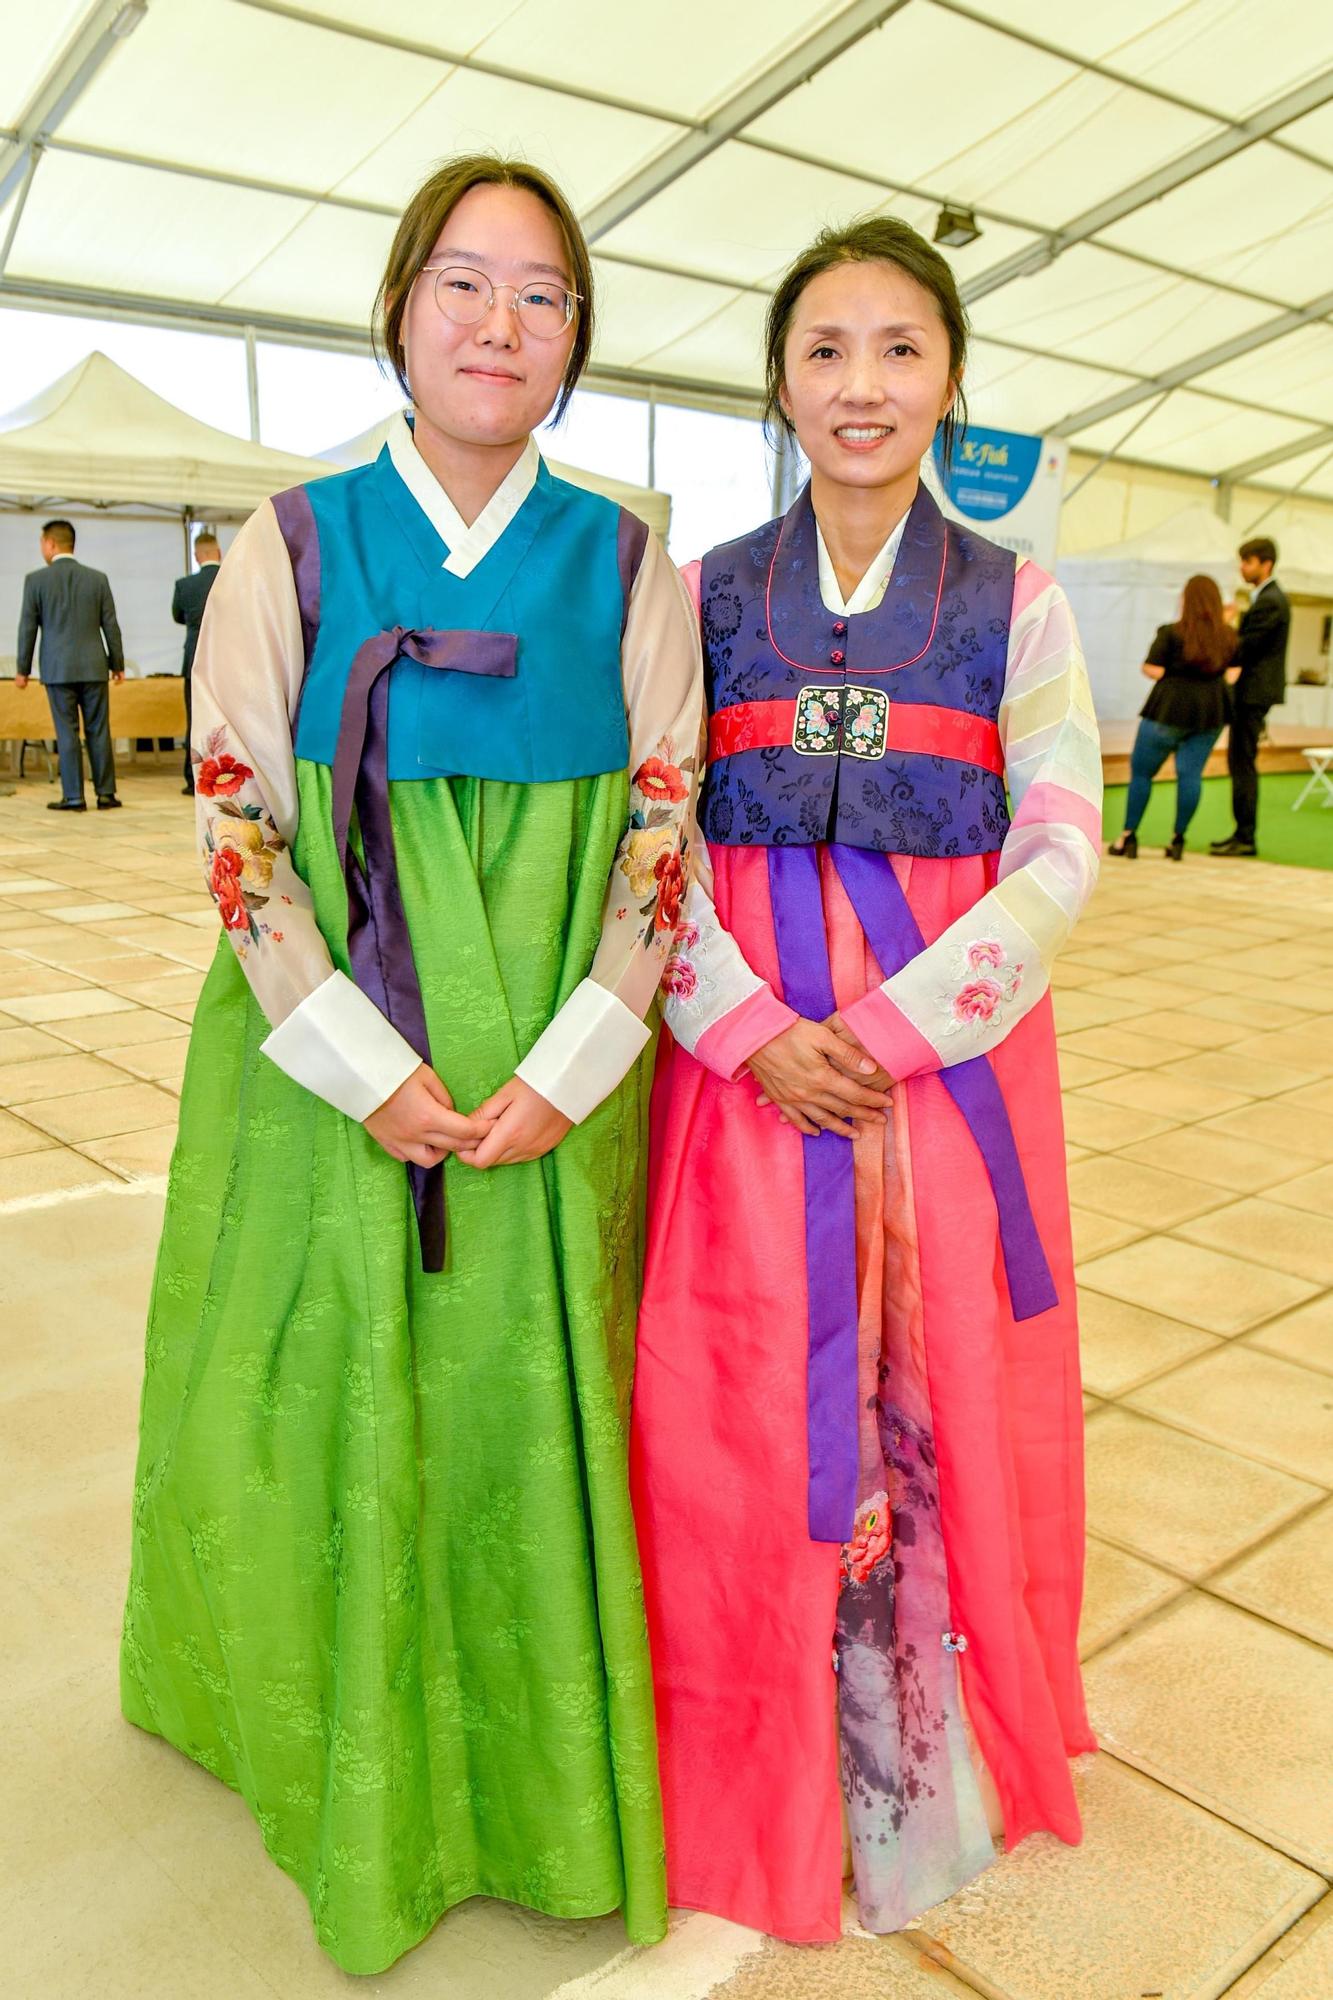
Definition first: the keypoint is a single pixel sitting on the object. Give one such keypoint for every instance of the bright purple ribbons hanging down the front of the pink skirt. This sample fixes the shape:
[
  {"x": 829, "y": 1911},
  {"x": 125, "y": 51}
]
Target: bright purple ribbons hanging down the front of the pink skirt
[{"x": 830, "y": 1189}]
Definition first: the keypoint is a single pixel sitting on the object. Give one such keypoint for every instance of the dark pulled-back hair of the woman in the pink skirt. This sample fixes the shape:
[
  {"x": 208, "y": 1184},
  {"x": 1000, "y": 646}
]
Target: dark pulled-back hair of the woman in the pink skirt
[{"x": 872, "y": 241}]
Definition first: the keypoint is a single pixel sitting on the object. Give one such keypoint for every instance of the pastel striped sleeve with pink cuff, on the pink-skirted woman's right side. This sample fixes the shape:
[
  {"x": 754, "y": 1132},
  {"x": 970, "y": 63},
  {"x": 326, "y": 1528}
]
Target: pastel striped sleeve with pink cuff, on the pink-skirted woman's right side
[{"x": 966, "y": 991}]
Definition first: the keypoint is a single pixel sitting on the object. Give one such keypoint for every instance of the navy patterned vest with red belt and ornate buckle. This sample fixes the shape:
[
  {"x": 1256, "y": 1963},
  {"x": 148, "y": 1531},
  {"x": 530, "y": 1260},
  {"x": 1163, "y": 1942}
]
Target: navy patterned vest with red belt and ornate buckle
[{"x": 878, "y": 731}]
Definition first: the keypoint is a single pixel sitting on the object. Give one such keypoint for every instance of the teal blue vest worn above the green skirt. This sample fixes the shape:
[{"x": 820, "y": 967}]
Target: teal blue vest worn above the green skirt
[{"x": 367, "y": 561}]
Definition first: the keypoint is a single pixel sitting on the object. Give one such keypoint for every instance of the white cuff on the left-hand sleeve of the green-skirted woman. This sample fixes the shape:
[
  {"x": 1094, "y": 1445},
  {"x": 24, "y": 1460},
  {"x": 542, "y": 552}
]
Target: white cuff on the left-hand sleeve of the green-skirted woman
[{"x": 343, "y": 1049}]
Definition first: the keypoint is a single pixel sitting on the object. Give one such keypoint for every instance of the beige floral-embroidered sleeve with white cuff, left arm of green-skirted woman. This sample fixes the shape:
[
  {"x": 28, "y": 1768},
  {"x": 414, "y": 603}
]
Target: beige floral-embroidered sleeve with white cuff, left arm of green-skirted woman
[{"x": 247, "y": 679}]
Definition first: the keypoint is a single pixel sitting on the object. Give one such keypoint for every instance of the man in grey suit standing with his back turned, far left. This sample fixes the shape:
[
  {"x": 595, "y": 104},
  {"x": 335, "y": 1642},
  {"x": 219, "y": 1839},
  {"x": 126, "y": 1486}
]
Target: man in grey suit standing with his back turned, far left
[{"x": 73, "y": 609}]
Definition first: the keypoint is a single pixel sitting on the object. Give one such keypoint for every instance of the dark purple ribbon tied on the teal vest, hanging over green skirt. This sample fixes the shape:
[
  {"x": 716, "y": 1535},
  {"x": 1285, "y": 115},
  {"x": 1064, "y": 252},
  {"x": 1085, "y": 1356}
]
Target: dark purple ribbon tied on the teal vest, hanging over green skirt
[{"x": 377, "y": 931}]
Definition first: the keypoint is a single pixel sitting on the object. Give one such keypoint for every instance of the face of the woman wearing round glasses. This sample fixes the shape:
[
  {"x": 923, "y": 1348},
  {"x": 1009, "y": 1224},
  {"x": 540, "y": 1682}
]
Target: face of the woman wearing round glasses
[{"x": 491, "y": 383}]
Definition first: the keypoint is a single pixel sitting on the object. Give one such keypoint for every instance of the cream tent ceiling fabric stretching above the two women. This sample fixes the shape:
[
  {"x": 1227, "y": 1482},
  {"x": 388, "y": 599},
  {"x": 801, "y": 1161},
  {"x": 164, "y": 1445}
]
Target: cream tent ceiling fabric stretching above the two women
[{"x": 247, "y": 159}]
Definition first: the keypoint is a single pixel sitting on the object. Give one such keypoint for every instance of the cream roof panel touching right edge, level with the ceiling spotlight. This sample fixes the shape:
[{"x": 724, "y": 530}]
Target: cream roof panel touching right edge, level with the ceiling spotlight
[{"x": 1260, "y": 219}]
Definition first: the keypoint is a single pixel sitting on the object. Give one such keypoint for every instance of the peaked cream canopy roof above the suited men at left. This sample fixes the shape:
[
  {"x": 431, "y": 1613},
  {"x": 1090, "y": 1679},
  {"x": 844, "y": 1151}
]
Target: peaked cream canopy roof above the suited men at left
[{"x": 99, "y": 437}]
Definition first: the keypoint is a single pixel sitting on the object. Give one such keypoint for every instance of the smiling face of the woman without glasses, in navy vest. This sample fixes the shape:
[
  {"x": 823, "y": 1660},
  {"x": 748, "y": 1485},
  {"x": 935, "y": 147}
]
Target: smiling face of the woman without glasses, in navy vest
[{"x": 866, "y": 373}]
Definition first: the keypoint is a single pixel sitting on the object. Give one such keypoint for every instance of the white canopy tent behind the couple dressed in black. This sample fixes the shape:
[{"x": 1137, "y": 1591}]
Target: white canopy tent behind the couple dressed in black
[{"x": 1124, "y": 593}]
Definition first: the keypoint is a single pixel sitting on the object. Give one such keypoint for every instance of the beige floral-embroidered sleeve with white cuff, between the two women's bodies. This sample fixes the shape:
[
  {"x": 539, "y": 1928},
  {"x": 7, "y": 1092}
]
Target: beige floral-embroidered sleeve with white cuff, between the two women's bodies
[{"x": 599, "y": 1033}]
